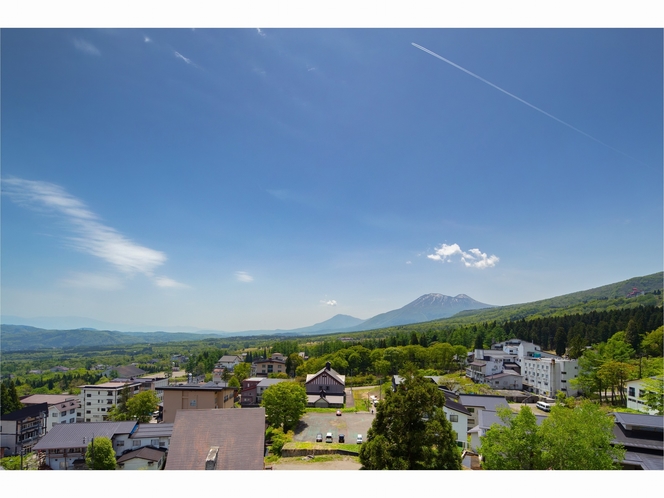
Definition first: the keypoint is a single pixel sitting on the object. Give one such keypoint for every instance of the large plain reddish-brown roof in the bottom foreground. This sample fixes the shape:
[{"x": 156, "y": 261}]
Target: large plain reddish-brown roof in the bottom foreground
[{"x": 238, "y": 432}]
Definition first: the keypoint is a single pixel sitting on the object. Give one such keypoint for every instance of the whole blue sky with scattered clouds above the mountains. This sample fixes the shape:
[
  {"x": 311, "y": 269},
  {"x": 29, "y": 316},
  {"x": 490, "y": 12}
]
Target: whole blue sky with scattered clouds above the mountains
[{"x": 237, "y": 179}]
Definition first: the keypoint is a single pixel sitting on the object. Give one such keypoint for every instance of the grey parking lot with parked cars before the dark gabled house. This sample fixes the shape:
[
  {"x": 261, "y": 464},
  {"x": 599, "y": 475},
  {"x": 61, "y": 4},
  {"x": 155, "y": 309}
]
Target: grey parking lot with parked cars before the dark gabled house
[{"x": 349, "y": 424}]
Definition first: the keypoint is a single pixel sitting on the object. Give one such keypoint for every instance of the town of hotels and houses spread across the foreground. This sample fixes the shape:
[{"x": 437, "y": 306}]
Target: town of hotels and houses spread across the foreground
[{"x": 150, "y": 421}]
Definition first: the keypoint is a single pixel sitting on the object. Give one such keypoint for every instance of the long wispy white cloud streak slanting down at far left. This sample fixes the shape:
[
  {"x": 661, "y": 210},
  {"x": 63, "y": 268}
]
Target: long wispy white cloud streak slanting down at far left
[{"x": 89, "y": 235}]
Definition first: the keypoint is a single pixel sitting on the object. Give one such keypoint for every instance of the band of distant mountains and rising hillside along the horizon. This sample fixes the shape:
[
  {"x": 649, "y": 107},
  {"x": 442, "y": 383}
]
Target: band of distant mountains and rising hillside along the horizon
[{"x": 21, "y": 333}]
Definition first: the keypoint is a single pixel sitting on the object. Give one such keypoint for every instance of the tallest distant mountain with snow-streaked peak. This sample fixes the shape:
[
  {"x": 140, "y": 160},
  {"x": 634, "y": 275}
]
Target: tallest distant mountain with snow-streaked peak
[{"x": 423, "y": 309}]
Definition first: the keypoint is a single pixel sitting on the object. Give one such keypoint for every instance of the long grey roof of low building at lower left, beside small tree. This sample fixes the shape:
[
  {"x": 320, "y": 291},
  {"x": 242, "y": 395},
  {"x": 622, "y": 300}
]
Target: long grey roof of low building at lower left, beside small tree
[{"x": 72, "y": 435}]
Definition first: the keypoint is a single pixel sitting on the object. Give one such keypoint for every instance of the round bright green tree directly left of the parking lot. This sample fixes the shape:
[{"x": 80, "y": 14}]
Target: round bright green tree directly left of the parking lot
[{"x": 284, "y": 404}]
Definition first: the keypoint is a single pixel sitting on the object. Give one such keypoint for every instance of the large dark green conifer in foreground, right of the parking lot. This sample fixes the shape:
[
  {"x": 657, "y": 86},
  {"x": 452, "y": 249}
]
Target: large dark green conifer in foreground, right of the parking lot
[{"x": 411, "y": 431}]
